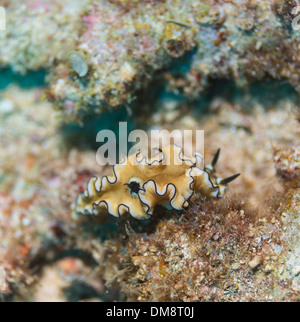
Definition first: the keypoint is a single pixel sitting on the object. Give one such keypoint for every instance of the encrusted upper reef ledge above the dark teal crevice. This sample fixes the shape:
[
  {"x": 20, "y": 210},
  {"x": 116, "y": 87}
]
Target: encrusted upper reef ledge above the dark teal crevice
[{"x": 127, "y": 45}]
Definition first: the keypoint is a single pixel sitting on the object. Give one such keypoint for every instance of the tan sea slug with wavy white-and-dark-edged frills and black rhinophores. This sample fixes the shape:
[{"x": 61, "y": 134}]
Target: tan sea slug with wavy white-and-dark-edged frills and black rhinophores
[{"x": 139, "y": 184}]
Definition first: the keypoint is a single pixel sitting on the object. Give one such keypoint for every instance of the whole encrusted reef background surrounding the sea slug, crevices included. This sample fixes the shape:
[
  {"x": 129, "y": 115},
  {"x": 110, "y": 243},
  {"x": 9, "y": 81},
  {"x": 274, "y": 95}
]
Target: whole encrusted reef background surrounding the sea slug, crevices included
[{"x": 230, "y": 68}]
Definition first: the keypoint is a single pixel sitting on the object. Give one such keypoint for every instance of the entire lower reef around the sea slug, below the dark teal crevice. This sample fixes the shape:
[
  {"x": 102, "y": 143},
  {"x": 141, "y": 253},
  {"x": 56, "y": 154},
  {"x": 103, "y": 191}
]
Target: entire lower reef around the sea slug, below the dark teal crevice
[{"x": 242, "y": 247}]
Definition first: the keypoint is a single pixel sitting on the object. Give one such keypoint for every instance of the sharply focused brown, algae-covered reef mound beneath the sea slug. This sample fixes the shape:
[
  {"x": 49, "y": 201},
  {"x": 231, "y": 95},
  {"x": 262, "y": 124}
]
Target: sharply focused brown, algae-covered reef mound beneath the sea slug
[{"x": 217, "y": 251}]
